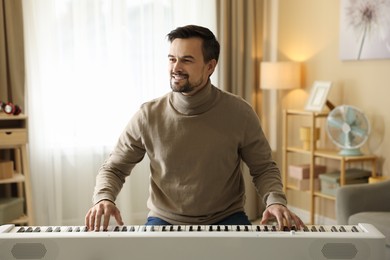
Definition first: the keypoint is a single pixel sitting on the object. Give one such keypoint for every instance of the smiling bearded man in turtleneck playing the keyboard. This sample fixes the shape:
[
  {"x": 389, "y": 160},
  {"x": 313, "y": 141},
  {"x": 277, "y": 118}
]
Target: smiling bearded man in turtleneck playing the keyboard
[{"x": 195, "y": 137}]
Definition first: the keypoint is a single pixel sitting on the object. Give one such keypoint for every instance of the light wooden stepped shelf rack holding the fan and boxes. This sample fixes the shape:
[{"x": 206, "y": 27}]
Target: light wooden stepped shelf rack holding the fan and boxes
[{"x": 313, "y": 153}]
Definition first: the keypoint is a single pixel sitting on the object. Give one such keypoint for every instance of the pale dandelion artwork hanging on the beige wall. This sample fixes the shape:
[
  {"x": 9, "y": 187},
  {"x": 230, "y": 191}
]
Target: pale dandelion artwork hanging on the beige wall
[{"x": 365, "y": 29}]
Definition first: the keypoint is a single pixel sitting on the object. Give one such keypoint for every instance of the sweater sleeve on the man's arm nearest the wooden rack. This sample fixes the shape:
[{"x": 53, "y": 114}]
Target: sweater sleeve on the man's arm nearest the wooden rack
[{"x": 256, "y": 153}]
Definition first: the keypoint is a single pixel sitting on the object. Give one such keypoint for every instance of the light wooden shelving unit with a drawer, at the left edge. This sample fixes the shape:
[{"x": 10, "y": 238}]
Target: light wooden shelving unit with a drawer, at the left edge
[{"x": 16, "y": 185}]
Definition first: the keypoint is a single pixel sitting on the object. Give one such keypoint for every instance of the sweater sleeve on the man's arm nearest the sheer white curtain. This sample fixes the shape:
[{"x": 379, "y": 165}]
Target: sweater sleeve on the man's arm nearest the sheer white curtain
[{"x": 128, "y": 151}]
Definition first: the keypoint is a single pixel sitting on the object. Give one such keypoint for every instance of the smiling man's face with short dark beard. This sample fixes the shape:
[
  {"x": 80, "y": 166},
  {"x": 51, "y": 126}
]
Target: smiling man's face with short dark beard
[{"x": 188, "y": 71}]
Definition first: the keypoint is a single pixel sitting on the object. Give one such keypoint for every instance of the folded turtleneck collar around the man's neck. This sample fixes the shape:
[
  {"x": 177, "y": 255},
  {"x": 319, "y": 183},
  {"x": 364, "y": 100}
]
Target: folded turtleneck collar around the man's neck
[{"x": 199, "y": 103}]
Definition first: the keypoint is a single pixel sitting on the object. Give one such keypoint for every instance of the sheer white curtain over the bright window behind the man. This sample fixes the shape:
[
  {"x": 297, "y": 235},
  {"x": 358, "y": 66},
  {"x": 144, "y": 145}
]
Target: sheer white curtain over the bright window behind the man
[{"x": 89, "y": 65}]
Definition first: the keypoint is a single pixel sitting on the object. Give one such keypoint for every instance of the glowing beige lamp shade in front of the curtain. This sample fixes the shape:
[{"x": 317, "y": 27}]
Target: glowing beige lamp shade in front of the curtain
[{"x": 280, "y": 75}]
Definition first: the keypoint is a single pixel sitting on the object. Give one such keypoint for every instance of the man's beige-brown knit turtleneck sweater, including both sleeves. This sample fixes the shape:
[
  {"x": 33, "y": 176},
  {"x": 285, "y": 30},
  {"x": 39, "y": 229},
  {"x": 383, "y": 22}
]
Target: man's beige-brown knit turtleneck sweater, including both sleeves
[{"x": 195, "y": 145}]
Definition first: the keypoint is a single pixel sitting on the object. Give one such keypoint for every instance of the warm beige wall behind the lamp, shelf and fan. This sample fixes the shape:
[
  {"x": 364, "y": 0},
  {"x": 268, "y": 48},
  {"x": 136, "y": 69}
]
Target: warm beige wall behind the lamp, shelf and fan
[{"x": 308, "y": 31}]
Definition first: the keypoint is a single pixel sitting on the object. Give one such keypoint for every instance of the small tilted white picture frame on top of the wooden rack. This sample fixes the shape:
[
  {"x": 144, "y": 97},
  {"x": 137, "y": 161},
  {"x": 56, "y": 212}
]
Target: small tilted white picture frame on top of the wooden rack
[{"x": 318, "y": 96}]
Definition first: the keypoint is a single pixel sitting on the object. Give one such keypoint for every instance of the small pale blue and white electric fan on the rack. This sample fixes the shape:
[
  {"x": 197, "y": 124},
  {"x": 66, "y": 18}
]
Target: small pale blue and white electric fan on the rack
[{"x": 348, "y": 128}]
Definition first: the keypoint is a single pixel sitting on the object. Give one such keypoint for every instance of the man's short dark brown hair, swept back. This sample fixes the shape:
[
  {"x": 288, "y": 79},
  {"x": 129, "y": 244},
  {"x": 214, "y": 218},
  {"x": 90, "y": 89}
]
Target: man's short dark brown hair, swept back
[{"x": 210, "y": 47}]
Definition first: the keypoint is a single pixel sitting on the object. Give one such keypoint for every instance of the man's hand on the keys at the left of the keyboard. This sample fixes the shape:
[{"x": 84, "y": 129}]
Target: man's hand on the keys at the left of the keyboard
[{"x": 103, "y": 209}]
